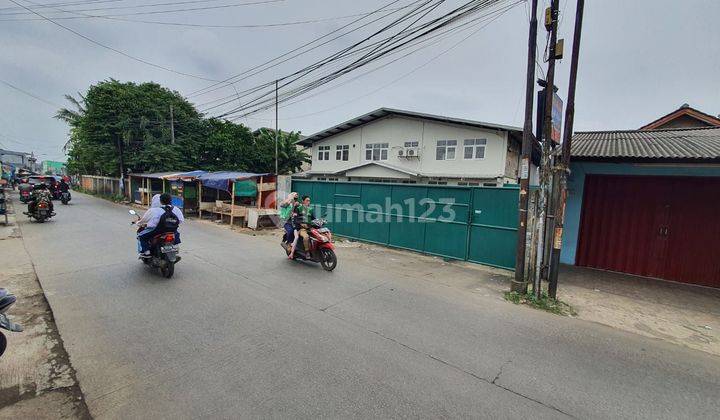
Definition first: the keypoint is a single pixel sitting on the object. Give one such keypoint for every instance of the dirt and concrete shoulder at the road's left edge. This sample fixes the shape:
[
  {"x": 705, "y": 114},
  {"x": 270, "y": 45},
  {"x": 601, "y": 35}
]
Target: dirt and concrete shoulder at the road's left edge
[{"x": 36, "y": 378}]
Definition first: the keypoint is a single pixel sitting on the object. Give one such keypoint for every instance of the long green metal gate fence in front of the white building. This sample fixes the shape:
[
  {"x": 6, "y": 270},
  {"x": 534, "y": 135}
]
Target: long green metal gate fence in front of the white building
[{"x": 477, "y": 224}]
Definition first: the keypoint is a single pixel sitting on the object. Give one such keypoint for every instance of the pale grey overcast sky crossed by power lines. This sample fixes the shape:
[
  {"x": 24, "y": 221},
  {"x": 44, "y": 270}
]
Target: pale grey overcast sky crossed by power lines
[{"x": 639, "y": 60}]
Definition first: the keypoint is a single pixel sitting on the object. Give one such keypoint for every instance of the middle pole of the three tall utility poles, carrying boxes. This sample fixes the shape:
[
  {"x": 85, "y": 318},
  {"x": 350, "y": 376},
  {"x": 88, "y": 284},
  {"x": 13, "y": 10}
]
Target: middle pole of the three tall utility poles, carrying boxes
[{"x": 551, "y": 23}]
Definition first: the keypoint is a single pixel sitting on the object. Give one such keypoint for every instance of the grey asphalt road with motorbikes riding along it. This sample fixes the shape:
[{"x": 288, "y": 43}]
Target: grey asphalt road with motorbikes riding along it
[{"x": 240, "y": 332}]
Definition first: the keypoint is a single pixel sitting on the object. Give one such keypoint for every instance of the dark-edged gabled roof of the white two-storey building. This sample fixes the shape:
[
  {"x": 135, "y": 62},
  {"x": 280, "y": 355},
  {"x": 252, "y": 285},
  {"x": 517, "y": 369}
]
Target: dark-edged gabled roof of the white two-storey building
[{"x": 385, "y": 112}]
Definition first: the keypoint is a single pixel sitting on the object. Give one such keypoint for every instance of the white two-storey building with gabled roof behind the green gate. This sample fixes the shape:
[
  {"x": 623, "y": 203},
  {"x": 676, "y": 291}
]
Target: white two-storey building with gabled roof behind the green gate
[{"x": 390, "y": 145}]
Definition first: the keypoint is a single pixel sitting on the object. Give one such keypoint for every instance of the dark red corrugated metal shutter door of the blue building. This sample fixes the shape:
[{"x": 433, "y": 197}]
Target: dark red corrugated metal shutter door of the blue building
[{"x": 664, "y": 227}]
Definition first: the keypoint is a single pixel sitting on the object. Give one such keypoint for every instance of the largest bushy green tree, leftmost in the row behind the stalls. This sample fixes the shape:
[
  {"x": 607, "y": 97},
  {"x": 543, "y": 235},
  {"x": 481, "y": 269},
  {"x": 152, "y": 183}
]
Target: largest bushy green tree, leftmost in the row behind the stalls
[{"x": 127, "y": 125}]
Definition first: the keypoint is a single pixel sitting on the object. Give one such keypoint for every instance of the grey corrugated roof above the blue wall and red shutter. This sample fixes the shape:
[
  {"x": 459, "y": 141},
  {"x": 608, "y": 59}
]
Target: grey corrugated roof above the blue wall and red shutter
[{"x": 692, "y": 144}]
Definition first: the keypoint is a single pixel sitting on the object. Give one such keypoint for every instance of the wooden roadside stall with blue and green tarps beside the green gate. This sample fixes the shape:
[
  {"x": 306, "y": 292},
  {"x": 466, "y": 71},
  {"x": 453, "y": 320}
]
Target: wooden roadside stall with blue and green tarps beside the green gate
[{"x": 247, "y": 196}]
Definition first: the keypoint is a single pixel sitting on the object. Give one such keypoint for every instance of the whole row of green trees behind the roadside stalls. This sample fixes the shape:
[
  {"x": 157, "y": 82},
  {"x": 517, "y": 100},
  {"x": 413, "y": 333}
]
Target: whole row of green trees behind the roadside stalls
[{"x": 115, "y": 120}]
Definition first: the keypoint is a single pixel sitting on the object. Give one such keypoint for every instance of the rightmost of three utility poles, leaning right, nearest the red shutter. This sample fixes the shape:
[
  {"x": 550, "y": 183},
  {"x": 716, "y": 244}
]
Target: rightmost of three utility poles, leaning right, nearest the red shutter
[{"x": 564, "y": 165}]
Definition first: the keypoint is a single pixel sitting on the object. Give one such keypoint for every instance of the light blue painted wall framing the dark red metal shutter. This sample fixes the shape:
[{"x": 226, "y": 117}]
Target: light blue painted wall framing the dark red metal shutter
[{"x": 577, "y": 182}]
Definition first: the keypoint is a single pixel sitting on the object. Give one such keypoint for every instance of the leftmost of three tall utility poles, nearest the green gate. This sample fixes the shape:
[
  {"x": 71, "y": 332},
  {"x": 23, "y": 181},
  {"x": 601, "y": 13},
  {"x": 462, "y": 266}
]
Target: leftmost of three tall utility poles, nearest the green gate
[{"x": 520, "y": 284}]
